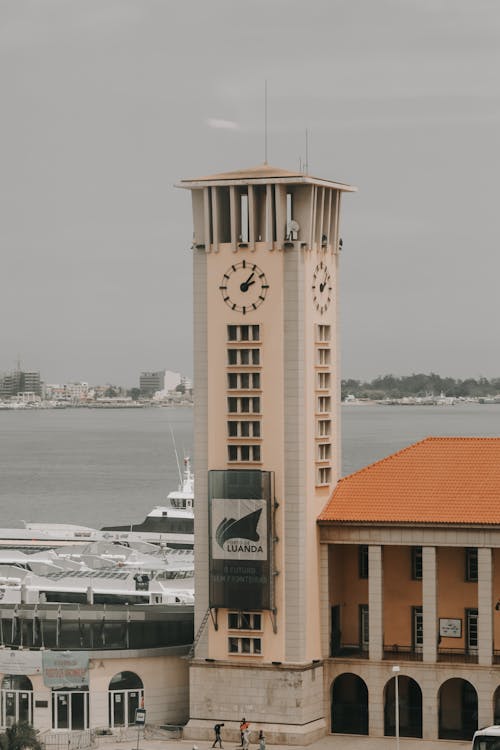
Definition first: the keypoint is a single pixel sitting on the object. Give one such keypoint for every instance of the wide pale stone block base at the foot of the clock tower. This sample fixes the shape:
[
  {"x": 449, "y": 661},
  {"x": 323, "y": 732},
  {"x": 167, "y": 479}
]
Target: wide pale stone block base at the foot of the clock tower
[{"x": 285, "y": 701}]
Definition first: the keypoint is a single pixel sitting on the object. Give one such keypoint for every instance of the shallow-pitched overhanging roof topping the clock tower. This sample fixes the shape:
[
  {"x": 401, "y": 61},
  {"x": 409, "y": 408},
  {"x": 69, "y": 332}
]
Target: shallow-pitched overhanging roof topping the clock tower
[{"x": 261, "y": 175}]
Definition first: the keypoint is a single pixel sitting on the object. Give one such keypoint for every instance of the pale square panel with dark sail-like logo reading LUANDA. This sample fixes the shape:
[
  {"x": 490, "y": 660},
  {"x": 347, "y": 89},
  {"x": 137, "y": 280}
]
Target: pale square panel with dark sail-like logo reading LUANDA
[{"x": 239, "y": 529}]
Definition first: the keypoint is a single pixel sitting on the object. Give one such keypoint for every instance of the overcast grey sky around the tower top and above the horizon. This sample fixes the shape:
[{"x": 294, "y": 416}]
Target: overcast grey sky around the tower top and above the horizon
[{"x": 105, "y": 104}]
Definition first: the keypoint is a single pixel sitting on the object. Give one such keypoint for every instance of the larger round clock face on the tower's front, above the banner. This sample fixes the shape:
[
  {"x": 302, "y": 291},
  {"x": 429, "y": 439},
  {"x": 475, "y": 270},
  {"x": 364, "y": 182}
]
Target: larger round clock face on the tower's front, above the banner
[{"x": 244, "y": 287}]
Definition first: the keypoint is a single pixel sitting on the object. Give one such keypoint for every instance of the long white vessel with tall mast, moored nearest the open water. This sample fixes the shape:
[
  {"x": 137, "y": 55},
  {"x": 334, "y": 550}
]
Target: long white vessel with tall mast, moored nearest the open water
[{"x": 171, "y": 524}]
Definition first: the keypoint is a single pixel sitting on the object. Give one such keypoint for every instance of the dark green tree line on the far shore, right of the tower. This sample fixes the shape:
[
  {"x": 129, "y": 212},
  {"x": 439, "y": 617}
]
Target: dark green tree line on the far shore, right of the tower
[{"x": 419, "y": 385}]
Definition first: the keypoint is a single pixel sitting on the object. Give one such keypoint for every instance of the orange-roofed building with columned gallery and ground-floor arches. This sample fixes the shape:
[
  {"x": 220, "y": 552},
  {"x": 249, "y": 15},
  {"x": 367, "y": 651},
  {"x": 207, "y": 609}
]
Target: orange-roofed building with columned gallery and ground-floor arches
[{"x": 411, "y": 551}]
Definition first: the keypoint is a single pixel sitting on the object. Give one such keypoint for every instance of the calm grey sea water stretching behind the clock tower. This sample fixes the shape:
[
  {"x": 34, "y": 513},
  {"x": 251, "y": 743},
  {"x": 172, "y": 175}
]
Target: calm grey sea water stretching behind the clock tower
[{"x": 97, "y": 467}]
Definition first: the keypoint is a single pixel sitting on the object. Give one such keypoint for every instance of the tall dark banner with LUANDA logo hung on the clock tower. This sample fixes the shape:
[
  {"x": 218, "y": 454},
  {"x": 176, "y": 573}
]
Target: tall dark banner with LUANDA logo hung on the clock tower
[{"x": 240, "y": 539}]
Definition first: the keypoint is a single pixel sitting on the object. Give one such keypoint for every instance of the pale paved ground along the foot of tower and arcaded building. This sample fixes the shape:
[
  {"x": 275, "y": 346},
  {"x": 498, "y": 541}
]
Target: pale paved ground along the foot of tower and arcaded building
[{"x": 331, "y": 742}]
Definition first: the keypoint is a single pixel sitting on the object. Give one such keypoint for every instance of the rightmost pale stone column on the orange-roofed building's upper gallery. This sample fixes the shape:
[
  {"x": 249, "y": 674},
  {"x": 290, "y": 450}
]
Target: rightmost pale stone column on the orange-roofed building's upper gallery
[{"x": 485, "y": 611}]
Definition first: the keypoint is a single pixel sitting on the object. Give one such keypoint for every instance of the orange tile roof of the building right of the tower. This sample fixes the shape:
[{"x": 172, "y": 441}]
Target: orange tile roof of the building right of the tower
[{"x": 452, "y": 480}]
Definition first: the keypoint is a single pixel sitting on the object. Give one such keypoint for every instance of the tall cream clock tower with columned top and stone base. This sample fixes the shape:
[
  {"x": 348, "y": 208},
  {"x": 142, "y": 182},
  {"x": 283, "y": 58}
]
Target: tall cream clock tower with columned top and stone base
[{"x": 266, "y": 447}]
